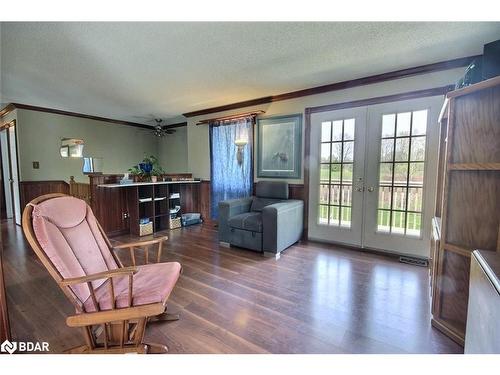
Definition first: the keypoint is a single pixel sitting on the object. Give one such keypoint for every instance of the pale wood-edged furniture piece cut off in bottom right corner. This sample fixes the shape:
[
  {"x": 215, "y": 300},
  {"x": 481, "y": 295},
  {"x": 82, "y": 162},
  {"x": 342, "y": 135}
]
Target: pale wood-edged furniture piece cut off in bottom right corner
[{"x": 483, "y": 325}]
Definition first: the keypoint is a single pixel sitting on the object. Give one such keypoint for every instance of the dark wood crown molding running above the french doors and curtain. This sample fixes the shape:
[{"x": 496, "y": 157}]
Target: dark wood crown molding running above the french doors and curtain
[{"x": 403, "y": 73}]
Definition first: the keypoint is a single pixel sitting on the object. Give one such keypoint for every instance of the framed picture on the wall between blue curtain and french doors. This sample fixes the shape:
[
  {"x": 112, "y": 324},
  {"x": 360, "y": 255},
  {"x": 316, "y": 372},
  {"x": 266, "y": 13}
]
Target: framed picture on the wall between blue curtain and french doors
[{"x": 279, "y": 146}]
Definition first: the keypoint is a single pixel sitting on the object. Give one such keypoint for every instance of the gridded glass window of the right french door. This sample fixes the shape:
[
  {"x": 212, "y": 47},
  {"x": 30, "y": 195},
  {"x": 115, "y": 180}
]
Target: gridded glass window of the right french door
[{"x": 401, "y": 176}]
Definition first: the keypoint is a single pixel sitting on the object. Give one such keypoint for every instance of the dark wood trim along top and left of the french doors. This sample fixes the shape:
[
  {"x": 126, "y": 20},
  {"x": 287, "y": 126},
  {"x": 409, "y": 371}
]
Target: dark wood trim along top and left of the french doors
[{"x": 435, "y": 91}]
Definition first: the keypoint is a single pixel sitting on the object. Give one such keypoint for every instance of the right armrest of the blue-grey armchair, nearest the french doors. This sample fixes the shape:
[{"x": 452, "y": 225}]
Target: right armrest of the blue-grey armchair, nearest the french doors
[{"x": 283, "y": 224}]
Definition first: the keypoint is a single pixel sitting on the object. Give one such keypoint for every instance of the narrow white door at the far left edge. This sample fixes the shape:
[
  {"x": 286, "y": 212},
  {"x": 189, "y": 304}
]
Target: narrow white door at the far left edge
[{"x": 10, "y": 171}]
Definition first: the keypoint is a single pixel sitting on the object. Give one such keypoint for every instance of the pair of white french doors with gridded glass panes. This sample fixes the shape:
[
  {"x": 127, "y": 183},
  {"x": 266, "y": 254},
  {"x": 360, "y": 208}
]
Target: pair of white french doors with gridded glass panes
[{"x": 373, "y": 175}]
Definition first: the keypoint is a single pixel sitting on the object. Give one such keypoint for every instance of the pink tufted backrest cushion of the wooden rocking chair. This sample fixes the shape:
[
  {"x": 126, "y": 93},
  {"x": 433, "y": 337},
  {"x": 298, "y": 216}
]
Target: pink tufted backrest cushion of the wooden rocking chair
[{"x": 67, "y": 231}]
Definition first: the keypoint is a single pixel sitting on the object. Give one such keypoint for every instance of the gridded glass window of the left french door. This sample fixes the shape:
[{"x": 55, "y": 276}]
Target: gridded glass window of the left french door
[{"x": 336, "y": 171}]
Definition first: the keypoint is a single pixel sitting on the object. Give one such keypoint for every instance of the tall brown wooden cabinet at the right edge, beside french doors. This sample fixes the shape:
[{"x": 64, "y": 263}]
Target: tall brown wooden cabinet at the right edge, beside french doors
[{"x": 469, "y": 201}]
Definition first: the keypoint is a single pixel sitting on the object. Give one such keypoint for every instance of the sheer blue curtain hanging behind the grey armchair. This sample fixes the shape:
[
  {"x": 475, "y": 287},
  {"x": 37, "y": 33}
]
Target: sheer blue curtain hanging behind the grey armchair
[{"x": 231, "y": 175}]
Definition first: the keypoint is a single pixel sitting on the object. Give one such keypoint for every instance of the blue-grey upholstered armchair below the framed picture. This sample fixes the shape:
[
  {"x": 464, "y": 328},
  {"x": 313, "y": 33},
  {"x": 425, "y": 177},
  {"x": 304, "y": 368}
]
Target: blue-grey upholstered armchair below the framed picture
[{"x": 269, "y": 222}]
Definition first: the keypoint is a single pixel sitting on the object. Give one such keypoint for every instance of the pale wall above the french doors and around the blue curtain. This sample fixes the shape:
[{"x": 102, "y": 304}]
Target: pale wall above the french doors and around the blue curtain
[{"x": 197, "y": 136}]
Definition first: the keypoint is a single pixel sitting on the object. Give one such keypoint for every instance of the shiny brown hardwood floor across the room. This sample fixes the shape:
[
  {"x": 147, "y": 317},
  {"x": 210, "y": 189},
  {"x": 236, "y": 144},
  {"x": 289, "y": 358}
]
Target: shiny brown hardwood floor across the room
[{"x": 316, "y": 299}]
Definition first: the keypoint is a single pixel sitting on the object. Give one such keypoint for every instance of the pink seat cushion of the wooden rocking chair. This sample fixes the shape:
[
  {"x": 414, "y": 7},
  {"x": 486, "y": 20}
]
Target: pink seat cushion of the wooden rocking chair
[{"x": 151, "y": 284}]
